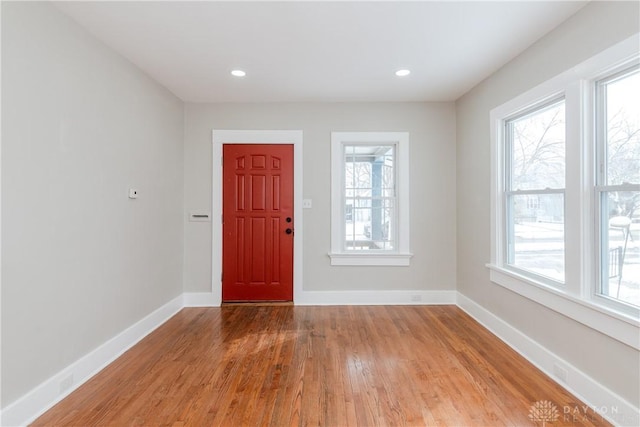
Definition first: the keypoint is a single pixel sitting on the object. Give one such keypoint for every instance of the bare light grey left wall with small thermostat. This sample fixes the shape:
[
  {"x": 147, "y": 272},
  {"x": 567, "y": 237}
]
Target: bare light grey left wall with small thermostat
[{"x": 81, "y": 262}]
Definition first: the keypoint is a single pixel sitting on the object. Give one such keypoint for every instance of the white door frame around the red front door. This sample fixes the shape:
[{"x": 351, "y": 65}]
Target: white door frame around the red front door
[{"x": 221, "y": 137}]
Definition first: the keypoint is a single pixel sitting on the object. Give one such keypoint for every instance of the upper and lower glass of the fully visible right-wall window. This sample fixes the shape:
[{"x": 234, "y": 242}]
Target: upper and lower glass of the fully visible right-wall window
[{"x": 534, "y": 190}]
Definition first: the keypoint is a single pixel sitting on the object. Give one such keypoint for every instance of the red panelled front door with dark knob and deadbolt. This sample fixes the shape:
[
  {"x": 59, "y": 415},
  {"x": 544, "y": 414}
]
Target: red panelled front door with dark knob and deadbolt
[{"x": 257, "y": 227}]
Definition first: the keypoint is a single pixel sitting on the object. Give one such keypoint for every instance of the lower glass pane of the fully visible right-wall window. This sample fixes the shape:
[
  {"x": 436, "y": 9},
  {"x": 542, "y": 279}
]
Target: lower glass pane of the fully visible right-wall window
[{"x": 537, "y": 234}]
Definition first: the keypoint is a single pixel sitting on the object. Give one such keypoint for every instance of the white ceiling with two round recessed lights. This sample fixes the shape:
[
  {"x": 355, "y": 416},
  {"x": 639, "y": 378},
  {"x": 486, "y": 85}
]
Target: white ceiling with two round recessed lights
[{"x": 319, "y": 51}]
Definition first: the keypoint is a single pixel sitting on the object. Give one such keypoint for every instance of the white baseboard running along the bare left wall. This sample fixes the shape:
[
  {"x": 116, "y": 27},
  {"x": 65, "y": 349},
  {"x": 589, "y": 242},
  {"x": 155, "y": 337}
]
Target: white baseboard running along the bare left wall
[{"x": 37, "y": 401}]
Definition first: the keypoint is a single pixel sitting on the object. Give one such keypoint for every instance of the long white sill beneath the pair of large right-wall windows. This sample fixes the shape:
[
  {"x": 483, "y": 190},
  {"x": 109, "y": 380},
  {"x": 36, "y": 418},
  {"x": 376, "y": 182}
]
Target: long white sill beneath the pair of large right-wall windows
[{"x": 617, "y": 325}]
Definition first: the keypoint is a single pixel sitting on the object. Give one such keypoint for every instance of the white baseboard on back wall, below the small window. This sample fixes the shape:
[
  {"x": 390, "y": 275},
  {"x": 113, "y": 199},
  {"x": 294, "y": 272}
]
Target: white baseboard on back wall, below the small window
[{"x": 375, "y": 298}]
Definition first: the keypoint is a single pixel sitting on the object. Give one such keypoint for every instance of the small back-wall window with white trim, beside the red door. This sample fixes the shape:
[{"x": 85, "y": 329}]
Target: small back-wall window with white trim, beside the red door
[{"x": 370, "y": 210}]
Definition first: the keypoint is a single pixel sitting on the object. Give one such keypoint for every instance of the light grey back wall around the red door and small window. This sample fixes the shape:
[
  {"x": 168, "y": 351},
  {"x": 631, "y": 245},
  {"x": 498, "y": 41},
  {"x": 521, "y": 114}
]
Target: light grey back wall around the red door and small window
[{"x": 432, "y": 149}]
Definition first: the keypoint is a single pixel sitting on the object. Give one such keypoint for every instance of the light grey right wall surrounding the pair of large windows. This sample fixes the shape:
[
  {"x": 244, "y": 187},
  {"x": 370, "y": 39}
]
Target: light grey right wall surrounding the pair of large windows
[{"x": 594, "y": 28}]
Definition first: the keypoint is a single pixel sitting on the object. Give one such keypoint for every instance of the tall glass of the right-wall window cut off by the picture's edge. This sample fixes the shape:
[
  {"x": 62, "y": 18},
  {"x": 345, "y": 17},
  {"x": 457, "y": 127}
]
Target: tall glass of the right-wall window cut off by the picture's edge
[{"x": 618, "y": 185}]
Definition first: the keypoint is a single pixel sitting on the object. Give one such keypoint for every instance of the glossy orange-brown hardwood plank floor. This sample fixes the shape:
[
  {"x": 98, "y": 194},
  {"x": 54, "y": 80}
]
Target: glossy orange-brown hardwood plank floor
[{"x": 325, "y": 366}]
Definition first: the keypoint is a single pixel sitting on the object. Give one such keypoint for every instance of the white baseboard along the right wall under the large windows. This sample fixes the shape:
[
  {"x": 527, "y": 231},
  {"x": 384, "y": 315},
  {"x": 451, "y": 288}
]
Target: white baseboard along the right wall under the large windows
[{"x": 601, "y": 401}]
